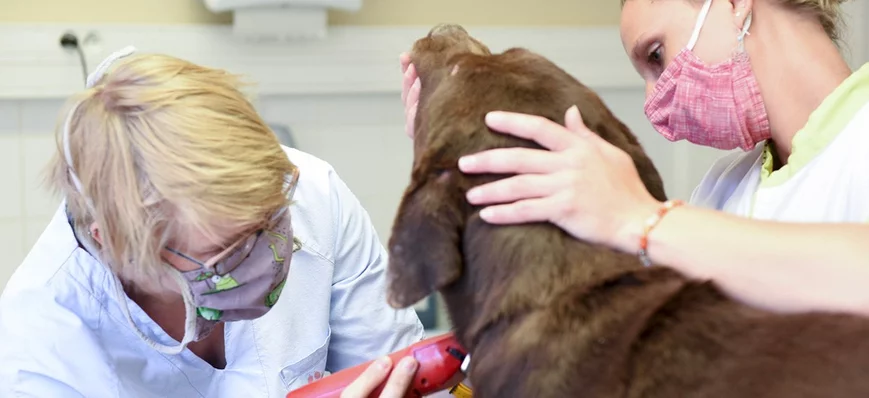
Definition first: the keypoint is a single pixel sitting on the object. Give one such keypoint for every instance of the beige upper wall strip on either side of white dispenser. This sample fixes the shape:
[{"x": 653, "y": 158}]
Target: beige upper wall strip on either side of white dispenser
[{"x": 374, "y": 12}]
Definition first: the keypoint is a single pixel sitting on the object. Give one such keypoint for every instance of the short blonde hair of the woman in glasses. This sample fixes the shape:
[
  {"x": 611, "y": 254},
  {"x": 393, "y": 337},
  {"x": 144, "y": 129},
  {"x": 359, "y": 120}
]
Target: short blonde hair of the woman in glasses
[{"x": 162, "y": 145}]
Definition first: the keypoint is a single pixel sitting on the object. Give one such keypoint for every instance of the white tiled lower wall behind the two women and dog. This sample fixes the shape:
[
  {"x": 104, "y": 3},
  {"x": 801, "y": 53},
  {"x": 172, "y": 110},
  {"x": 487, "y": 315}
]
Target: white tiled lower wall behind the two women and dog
[{"x": 362, "y": 136}]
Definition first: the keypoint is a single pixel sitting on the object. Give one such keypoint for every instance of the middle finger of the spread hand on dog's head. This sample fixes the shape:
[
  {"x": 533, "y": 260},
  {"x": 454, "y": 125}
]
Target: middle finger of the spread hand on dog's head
[{"x": 512, "y": 160}]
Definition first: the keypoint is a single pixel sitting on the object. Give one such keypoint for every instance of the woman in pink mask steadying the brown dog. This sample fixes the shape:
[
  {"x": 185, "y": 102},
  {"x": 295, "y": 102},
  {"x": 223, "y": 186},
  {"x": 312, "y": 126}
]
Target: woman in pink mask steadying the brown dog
[{"x": 780, "y": 225}]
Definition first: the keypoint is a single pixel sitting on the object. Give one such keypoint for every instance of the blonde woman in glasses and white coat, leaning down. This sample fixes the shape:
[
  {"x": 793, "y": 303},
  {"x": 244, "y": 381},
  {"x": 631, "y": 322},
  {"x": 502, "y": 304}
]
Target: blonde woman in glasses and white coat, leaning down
[{"x": 193, "y": 256}]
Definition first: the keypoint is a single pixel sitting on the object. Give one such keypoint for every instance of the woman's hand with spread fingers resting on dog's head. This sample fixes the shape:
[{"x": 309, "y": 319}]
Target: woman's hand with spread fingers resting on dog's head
[{"x": 583, "y": 184}]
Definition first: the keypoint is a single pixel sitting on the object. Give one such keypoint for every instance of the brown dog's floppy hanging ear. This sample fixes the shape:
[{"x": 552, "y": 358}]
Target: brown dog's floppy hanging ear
[{"x": 425, "y": 246}]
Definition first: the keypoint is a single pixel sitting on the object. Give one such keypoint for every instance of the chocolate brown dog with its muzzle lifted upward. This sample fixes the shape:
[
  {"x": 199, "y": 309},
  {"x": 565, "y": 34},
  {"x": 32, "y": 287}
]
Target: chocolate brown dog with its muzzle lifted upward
[{"x": 546, "y": 315}]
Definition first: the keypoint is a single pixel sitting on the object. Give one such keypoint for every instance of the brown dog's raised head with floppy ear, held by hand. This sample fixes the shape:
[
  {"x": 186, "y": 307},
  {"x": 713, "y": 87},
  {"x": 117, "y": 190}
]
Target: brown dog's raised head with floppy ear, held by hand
[{"x": 436, "y": 230}]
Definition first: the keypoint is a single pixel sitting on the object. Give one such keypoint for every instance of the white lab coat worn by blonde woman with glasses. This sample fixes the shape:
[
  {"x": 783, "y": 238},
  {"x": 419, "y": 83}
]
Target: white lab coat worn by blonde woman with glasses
[{"x": 62, "y": 332}]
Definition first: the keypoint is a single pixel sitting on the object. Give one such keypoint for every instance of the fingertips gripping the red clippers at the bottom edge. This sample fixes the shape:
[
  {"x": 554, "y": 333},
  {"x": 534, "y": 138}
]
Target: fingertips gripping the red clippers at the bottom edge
[{"x": 397, "y": 385}]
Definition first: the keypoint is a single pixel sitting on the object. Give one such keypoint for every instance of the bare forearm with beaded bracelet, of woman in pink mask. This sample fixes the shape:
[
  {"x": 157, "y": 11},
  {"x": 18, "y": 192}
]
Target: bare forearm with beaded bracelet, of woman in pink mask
[{"x": 779, "y": 266}]
